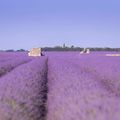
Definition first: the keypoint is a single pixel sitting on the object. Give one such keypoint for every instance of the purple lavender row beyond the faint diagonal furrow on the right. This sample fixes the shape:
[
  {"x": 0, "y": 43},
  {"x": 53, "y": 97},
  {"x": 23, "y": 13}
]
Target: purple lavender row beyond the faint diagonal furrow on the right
[{"x": 105, "y": 68}]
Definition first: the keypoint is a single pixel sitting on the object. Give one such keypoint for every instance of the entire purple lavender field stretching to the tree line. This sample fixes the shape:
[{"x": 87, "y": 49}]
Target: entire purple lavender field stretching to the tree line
[{"x": 59, "y": 86}]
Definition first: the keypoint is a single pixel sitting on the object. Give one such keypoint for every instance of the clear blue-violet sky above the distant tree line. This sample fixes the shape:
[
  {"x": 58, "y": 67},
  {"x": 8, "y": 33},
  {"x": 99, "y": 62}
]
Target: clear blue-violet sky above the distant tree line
[{"x": 39, "y": 23}]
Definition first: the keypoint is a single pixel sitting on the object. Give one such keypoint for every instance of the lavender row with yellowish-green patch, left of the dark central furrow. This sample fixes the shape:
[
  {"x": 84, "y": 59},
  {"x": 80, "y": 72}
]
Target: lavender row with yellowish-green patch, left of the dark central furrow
[{"x": 23, "y": 91}]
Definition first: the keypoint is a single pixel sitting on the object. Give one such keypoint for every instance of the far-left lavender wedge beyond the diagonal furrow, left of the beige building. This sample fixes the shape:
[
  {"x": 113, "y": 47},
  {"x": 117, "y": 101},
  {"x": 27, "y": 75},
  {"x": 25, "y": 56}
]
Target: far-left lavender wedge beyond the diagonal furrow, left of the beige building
[{"x": 9, "y": 61}]
